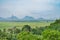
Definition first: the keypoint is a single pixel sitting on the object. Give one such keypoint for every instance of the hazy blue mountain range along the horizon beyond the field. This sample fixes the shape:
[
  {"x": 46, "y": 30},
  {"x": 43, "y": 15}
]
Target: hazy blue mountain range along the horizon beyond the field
[{"x": 26, "y": 18}]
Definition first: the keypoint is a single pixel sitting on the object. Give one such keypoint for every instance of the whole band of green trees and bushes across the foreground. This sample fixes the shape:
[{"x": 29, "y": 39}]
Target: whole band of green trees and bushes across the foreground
[{"x": 51, "y": 32}]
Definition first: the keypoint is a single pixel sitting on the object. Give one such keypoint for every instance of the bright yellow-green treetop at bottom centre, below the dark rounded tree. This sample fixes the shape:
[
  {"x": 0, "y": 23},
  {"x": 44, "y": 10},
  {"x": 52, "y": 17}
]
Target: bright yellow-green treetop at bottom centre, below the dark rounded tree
[{"x": 27, "y": 36}]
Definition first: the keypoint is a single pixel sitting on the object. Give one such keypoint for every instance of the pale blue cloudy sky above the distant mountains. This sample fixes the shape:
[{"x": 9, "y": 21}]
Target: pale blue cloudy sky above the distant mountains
[{"x": 34, "y": 8}]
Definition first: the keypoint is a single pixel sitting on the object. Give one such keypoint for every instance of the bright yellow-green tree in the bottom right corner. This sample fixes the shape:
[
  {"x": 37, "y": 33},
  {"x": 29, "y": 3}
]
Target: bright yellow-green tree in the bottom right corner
[{"x": 51, "y": 35}]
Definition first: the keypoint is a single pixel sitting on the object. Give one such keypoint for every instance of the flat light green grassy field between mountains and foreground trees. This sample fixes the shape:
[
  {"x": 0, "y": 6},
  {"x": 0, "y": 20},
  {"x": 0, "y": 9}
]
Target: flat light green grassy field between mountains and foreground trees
[{"x": 21, "y": 24}]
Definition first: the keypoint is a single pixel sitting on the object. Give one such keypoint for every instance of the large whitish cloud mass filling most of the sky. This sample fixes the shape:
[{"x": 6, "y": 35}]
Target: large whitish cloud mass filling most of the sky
[{"x": 22, "y": 8}]
